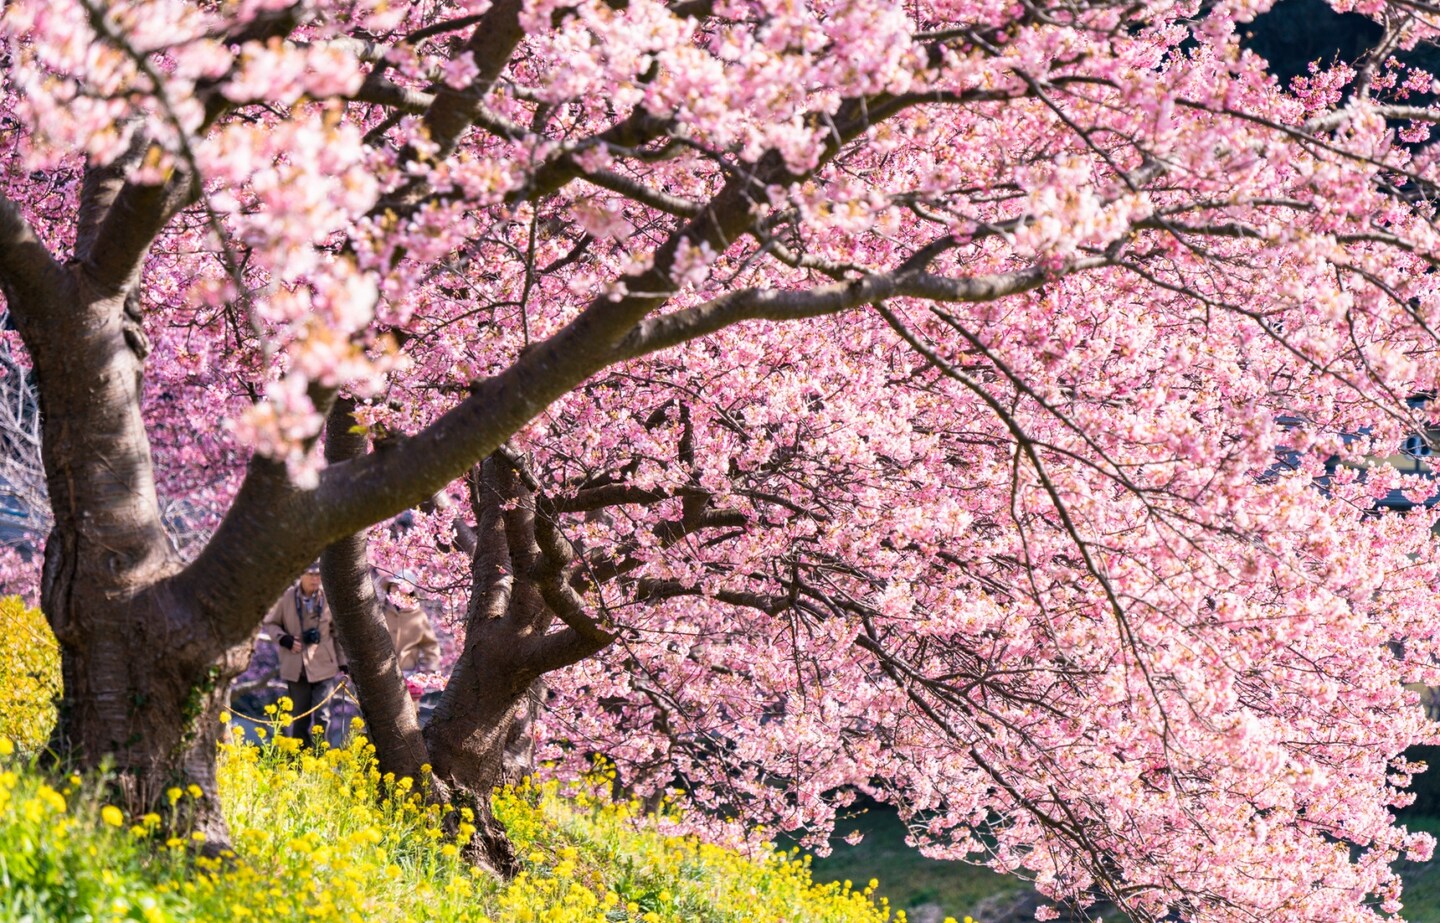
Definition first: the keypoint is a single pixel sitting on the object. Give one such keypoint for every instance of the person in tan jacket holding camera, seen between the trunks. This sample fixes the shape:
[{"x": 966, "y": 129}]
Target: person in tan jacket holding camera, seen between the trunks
[{"x": 310, "y": 657}]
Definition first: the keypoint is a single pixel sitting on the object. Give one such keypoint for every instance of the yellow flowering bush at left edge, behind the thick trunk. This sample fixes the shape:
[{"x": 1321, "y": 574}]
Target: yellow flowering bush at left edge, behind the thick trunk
[{"x": 30, "y": 675}]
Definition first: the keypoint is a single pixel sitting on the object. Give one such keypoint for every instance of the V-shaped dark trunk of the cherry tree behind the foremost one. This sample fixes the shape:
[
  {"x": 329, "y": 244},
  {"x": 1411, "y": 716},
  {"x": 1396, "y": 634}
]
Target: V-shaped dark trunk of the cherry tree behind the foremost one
[{"x": 480, "y": 737}]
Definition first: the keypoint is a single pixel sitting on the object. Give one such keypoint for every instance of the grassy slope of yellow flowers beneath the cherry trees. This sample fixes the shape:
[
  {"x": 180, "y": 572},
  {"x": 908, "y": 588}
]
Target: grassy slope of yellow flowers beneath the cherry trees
[{"x": 323, "y": 837}]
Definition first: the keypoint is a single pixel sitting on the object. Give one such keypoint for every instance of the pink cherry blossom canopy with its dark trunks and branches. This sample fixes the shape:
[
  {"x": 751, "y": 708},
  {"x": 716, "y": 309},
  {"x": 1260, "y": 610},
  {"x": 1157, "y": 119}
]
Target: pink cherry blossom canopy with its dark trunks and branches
[{"x": 931, "y": 400}]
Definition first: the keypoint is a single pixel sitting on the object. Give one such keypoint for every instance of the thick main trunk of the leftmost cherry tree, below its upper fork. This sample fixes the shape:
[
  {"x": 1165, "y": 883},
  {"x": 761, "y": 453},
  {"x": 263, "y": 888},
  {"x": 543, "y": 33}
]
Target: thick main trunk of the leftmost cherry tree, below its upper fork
[{"x": 143, "y": 679}]
